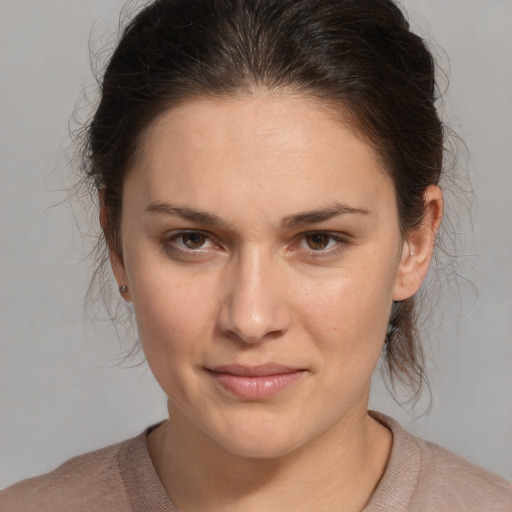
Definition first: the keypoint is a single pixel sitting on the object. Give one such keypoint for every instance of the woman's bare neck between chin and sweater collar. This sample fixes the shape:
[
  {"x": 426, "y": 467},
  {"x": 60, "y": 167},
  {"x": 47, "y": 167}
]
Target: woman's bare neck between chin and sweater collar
[{"x": 342, "y": 466}]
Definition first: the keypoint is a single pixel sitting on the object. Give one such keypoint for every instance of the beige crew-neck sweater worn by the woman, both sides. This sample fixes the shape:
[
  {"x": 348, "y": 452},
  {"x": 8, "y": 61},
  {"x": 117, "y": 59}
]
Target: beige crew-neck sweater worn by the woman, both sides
[{"x": 420, "y": 477}]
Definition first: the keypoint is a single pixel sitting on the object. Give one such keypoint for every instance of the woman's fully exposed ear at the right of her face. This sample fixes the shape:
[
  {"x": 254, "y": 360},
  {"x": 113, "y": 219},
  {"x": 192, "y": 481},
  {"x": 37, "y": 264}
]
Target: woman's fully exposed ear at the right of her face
[{"x": 418, "y": 247}]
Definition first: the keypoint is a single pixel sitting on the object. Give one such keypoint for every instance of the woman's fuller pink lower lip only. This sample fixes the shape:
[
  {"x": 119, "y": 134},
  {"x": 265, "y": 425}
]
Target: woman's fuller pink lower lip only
[{"x": 260, "y": 387}]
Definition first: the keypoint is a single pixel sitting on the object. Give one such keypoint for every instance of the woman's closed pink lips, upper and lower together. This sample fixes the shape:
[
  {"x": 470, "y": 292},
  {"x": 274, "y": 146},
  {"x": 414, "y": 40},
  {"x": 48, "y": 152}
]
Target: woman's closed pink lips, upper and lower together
[{"x": 255, "y": 383}]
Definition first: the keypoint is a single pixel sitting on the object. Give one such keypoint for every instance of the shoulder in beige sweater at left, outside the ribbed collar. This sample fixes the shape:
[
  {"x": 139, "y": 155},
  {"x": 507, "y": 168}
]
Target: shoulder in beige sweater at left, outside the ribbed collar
[{"x": 90, "y": 481}]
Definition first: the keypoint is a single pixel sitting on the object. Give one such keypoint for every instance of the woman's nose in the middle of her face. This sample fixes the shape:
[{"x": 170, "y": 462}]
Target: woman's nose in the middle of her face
[{"x": 254, "y": 306}]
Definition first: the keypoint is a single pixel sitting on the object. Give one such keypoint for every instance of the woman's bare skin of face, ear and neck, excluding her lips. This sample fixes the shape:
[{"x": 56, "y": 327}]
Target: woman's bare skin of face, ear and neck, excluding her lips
[{"x": 259, "y": 287}]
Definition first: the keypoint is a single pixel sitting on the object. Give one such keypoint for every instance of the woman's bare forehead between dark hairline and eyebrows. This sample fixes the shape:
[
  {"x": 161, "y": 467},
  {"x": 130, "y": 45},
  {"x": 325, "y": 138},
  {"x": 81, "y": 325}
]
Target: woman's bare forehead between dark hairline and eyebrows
[{"x": 218, "y": 151}]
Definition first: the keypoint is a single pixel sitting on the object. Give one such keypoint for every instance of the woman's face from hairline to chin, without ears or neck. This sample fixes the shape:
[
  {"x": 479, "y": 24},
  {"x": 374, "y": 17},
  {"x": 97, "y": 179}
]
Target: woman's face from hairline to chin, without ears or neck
[{"x": 262, "y": 252}]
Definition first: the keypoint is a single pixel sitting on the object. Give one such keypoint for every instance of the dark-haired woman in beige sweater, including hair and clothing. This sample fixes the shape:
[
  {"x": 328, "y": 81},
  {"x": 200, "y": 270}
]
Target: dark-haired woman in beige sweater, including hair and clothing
[{"x": 268, "y": 180}]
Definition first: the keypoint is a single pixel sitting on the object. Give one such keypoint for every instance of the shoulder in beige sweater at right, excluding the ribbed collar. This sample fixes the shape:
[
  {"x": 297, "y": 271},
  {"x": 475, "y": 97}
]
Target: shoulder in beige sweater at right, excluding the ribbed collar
[{"x": 458, "y": 481}]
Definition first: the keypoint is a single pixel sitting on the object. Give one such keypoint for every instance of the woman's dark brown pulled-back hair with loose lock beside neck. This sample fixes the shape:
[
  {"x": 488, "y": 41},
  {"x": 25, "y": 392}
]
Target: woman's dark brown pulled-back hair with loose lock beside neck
[{"x": 356, "y": 55}]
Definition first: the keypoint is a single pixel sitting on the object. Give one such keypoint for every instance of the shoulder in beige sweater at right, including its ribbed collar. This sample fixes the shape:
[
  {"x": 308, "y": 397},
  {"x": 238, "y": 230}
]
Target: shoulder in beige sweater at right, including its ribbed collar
[{"x": 425, "y": 477}]
